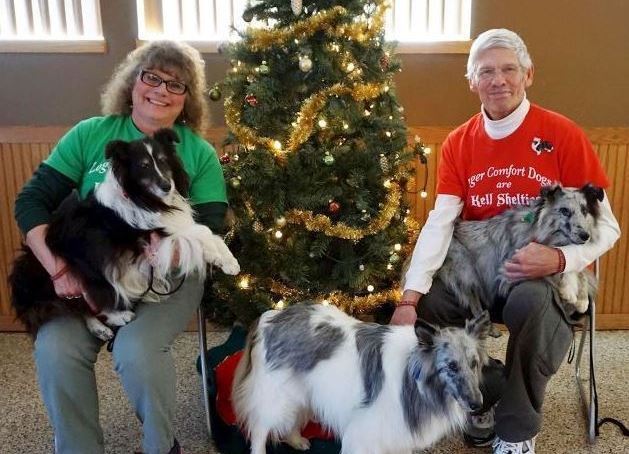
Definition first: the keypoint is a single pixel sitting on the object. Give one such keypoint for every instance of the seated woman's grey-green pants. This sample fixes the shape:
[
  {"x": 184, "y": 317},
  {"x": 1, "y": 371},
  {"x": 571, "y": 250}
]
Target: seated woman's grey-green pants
[{"x": 65, "y": 353}]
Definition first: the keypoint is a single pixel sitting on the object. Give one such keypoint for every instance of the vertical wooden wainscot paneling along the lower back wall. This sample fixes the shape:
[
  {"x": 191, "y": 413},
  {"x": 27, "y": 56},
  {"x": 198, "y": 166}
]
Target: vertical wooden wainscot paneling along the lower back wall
[{"x": 23, "y": 148}]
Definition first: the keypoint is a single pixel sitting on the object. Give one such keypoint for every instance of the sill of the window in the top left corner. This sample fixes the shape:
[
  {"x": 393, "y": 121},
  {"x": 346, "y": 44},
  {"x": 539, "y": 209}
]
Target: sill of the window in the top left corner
[{"x": 98, "y": 46}]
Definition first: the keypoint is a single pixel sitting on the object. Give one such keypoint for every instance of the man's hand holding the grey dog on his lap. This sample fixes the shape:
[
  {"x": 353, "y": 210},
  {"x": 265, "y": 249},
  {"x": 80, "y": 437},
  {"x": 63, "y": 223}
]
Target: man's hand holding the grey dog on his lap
[{"x": 532, "y": 261}]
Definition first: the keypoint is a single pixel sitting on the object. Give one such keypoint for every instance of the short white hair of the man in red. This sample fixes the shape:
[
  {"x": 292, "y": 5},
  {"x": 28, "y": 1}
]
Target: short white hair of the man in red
[{"x": 497, "y": 37}]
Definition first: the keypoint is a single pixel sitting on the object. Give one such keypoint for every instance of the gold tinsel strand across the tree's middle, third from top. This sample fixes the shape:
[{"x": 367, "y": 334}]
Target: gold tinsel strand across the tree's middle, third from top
[{"x": 322, "y": 223}]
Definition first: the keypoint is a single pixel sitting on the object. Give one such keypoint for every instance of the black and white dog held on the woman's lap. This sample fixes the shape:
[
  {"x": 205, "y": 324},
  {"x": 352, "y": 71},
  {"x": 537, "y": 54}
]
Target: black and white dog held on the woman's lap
[{"x": 103, "y": 239}]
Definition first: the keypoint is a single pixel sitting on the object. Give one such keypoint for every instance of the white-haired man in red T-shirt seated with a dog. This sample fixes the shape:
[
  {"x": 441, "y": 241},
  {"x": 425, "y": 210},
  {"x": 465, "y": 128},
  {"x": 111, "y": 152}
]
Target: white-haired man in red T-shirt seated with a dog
[{"x": 499, "y": 158}]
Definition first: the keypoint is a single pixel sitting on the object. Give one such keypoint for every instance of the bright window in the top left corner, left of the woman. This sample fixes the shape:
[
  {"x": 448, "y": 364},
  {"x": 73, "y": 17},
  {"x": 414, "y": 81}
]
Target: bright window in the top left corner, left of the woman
[{"x": 51, "y": 26}]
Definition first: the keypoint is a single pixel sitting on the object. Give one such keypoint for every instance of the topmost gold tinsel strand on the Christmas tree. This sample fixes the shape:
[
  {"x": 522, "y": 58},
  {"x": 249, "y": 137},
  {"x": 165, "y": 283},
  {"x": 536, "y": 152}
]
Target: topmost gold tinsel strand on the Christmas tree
[{"x": 261, "y": 39}]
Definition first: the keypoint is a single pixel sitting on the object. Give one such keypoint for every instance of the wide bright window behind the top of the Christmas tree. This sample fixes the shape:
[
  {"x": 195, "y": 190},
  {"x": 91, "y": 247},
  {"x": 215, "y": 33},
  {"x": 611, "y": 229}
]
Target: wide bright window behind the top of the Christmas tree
[{"x": 440, "y": 26}]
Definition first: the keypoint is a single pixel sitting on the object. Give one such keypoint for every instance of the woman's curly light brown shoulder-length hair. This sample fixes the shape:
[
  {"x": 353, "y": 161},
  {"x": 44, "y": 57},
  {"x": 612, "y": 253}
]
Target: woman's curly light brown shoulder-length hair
[{"x": 177, "y": 58}]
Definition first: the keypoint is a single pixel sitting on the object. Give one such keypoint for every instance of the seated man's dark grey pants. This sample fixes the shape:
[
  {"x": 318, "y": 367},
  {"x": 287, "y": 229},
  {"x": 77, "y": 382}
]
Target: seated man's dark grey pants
[{"x": 539, "y": 338}]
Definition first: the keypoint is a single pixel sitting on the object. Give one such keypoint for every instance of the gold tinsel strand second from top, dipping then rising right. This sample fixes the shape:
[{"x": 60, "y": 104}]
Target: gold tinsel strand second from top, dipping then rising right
[{"x": 305, "y": 117}]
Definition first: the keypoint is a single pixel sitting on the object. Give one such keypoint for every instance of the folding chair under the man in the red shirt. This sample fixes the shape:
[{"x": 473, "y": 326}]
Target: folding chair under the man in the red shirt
[{"x": 590, "y": 403}]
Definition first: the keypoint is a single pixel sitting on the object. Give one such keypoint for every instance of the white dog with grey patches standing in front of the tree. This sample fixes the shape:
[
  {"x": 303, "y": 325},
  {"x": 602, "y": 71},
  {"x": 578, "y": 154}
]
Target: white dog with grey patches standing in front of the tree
[{"x": 379, "y": 389}]
